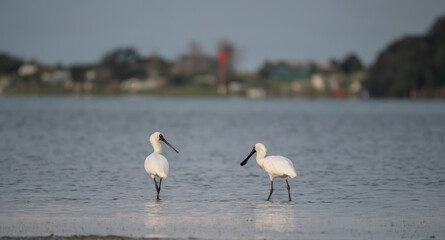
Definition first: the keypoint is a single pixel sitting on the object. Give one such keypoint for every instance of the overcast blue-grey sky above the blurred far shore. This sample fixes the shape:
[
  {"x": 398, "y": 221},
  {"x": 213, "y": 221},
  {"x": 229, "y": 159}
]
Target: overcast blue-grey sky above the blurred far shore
[{"x": 67, "y": 32}]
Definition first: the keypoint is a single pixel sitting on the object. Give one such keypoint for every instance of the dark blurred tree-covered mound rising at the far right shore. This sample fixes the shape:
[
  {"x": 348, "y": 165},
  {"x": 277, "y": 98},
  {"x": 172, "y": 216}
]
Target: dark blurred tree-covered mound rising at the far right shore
[{"x": 413, "y": 66}]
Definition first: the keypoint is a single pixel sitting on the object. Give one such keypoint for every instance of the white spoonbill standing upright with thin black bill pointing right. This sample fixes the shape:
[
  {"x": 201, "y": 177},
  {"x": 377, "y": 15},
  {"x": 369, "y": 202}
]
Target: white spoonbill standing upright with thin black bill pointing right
[{"x": 155, "y": 164}]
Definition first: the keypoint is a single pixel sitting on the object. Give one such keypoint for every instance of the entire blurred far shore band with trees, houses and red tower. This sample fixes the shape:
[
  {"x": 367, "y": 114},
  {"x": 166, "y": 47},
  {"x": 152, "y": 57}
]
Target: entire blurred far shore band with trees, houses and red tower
[{"x": 410, "y": 67}]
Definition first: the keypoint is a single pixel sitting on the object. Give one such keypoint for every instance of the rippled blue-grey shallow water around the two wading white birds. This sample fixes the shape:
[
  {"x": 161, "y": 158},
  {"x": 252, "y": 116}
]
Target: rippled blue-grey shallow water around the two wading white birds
[{"x": 366, "y": 169}]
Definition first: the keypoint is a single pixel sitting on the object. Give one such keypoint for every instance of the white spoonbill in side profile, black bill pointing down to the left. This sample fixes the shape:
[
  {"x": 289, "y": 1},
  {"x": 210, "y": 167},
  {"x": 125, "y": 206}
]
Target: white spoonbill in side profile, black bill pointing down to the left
[{"x": 275, "y": 166}]
